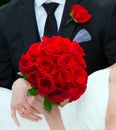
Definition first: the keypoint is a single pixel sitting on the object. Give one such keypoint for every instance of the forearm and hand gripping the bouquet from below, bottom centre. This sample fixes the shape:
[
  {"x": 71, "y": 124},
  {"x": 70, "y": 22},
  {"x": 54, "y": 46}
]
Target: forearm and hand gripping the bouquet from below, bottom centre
[{"x": 53, "y": 118}]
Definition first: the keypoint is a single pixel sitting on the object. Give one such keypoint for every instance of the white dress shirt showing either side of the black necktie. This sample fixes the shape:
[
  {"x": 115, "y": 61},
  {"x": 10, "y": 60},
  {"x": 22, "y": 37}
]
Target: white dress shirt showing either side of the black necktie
[{"x": 41, "y": 14}]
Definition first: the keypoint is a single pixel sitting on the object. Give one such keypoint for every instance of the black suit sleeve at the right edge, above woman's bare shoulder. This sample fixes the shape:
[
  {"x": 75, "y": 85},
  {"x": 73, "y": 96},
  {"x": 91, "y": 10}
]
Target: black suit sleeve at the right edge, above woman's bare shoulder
[{"x": 110, "y": 37}]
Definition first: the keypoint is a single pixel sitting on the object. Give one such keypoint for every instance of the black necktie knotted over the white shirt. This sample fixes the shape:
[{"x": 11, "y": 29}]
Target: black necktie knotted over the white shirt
[{"x": 50, "y": 27}]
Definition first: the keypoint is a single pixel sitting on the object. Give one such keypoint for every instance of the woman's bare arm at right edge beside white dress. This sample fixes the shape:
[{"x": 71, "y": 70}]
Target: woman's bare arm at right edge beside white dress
[{"x": 111, "y": 111}]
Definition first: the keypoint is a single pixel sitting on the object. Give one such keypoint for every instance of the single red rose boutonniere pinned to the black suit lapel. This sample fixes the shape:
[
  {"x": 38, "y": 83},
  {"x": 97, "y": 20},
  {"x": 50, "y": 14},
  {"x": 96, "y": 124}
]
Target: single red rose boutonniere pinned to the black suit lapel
[{"x": 79, "y": 14}]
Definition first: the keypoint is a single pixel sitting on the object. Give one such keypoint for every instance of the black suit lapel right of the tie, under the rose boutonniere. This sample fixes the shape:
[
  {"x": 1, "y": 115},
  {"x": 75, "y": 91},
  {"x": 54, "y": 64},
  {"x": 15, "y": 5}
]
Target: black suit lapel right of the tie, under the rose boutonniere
[{"x": 68, "y": 30}]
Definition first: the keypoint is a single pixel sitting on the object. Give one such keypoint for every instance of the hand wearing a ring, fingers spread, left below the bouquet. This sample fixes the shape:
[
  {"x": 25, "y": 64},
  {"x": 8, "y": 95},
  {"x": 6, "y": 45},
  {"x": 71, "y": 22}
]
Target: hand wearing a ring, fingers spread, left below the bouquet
[{"x": 20, "y": 103}]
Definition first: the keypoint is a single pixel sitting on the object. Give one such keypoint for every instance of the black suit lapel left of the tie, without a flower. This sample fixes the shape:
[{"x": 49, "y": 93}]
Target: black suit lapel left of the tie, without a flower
[{"x": 28, "y": 24}]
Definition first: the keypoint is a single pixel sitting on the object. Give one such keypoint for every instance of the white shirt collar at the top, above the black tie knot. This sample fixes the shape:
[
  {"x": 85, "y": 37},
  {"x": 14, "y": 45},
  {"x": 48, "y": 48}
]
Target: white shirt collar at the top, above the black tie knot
[{"x": 38, "y": 3}]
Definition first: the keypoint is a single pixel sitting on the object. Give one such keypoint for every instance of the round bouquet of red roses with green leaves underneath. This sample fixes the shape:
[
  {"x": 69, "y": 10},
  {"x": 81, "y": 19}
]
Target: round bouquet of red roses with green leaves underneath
[{"x": 56, "y": 69}]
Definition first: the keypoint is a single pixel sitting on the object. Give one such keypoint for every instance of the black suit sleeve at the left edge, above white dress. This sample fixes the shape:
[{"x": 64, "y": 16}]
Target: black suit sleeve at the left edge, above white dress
[{"x": 6, "y": 67}]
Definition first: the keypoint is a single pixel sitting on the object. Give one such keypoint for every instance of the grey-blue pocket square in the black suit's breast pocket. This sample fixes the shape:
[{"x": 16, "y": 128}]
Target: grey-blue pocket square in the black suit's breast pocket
[{"x": 82, "y": 36}]
